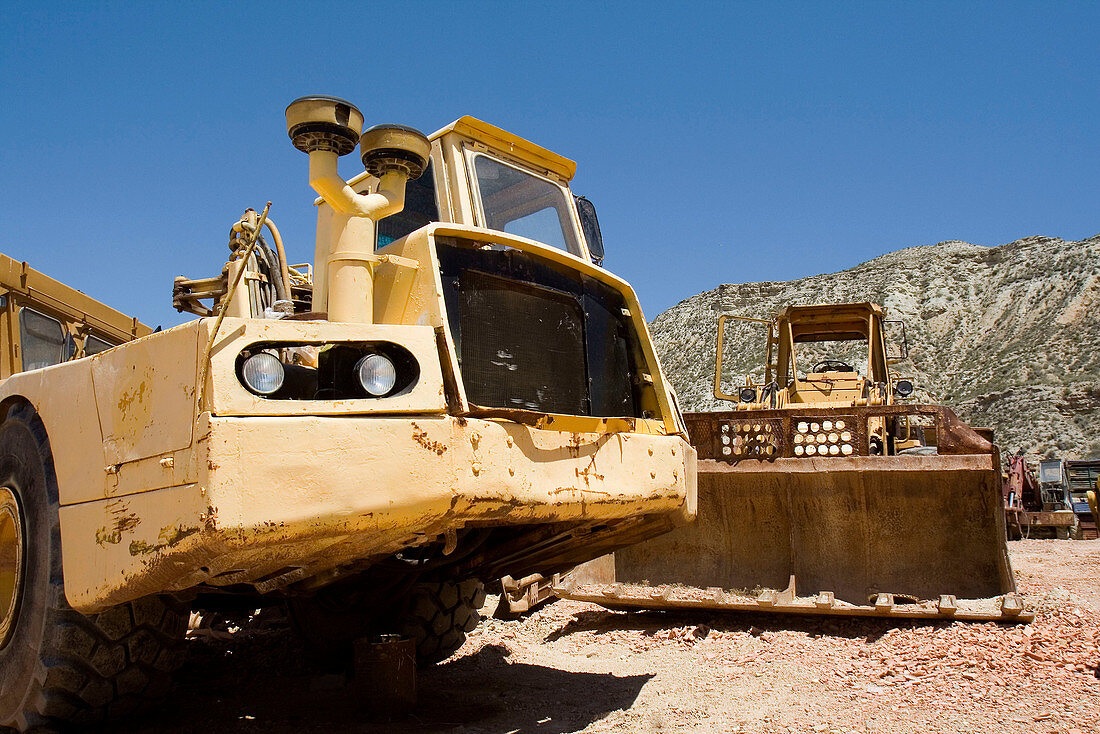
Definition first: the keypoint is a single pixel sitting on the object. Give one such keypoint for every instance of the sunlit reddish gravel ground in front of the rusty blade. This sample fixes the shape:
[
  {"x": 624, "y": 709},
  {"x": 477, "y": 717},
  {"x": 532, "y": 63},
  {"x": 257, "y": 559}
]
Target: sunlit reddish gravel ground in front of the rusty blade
[{"x": 861, "y": 675}]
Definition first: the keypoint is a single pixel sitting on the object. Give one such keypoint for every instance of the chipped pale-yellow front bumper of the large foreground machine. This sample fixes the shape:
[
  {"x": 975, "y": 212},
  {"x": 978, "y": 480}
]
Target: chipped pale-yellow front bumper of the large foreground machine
[{"x": 280, "y": 500}]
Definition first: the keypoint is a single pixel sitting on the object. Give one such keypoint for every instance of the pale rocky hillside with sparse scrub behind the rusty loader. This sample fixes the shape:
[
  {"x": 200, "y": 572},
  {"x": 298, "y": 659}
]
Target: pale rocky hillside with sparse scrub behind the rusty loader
[{"x": 1008, "y": 336}]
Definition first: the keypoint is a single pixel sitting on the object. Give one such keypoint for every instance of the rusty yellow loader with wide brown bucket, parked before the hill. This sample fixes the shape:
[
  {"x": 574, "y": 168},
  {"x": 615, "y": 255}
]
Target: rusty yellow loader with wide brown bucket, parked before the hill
[{"x": 828, "y": 490}]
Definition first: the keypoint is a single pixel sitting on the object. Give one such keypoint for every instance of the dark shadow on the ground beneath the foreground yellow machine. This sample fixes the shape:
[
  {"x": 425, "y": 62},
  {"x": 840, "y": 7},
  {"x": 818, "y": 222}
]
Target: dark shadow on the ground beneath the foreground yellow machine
[{"x": 265, "y": 683}]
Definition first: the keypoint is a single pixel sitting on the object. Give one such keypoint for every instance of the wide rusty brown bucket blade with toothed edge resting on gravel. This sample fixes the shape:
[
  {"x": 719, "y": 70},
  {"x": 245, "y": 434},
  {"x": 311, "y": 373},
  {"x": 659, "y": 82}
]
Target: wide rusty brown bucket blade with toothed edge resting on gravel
[{"x": 904, "y": 536}]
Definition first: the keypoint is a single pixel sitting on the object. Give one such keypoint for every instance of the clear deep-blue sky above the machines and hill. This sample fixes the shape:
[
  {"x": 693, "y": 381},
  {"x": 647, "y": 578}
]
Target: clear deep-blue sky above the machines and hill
[{"x": 721, "y": 144}]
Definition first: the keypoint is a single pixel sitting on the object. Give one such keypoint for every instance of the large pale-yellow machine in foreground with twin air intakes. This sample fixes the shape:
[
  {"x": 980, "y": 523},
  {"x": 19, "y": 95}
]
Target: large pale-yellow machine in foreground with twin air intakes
[{"x": 454, "y": 392}]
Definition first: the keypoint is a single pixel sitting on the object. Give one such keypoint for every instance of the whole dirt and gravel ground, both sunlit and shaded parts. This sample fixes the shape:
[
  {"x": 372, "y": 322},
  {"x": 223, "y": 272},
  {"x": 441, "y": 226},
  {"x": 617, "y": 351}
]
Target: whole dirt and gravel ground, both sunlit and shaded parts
[{"x": 574, "y": 667}]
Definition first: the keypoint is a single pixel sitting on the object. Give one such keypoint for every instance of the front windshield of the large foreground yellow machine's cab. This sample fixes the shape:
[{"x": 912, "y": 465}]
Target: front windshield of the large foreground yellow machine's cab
[{"x": 520, "y": 203}]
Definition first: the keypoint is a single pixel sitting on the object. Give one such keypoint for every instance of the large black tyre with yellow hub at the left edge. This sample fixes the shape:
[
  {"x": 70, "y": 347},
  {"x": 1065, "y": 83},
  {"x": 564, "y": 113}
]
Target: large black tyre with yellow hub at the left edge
[{"x": 57, "y": 665}]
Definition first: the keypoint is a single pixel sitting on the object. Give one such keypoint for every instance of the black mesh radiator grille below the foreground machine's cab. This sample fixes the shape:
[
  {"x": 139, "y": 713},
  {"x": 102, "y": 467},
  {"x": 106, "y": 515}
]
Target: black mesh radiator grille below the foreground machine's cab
[{"x": 534, "y": 336}]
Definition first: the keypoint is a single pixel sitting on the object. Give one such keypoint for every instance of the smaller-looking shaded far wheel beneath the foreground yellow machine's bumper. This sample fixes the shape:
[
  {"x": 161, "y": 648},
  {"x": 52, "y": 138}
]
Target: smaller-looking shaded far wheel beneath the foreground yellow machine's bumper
[{"x": 439, "y": 615}]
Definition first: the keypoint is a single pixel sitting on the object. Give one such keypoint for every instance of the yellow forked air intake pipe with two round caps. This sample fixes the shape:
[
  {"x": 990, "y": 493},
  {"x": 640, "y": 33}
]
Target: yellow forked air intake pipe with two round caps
[{"x": 327, "y": 128}]
